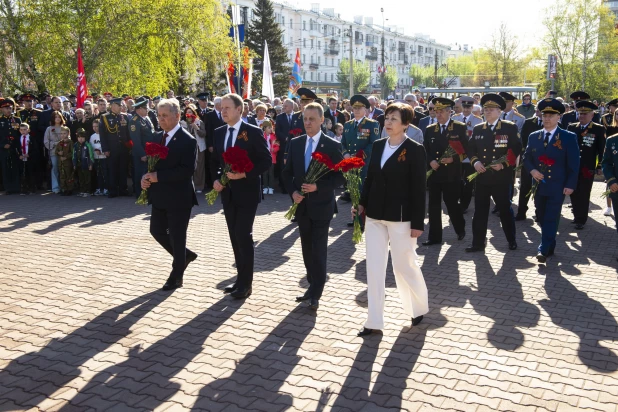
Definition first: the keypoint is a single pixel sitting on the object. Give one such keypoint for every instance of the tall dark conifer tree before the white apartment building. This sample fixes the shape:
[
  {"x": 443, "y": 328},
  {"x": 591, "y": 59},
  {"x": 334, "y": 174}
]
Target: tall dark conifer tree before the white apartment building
[{"x": 263, "y": 28}]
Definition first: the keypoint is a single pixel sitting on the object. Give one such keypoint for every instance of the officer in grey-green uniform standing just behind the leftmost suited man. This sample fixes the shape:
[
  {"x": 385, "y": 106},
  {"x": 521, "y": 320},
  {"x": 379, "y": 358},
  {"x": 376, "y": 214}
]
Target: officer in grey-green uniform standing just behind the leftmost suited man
[{"x": 141, "y": 131}]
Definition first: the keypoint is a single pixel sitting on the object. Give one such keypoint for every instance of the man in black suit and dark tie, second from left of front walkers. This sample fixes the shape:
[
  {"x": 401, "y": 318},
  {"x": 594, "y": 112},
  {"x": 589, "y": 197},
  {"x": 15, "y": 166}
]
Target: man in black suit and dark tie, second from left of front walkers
[{"x": 243, "y": 193}]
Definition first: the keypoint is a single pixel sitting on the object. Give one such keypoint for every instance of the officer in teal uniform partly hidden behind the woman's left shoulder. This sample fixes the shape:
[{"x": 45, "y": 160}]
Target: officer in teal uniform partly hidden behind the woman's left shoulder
[{"x": 359, "y": 133}]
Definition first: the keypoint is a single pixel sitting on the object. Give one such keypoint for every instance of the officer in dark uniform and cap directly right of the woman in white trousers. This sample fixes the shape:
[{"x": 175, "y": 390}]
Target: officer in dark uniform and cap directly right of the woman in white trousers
[{"x": 445, "y": 181}]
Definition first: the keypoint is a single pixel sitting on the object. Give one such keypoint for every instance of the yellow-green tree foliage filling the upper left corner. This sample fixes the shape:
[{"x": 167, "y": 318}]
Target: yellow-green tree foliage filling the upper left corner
[{"x": 134, "y": 47}]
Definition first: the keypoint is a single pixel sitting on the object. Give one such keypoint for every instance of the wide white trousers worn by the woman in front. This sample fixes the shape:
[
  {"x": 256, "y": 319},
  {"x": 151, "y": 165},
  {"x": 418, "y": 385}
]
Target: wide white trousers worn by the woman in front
[{"x": 408, "y": 275}]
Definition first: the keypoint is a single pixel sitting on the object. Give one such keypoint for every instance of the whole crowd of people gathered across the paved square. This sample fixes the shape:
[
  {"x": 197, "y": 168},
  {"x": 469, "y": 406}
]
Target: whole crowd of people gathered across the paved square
[{"x": 454, "y": 149}]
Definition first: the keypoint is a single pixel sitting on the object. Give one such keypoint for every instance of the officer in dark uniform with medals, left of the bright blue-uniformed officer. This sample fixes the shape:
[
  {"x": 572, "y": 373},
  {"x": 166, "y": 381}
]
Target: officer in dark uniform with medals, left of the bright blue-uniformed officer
[{"x": 490, "y": 141}]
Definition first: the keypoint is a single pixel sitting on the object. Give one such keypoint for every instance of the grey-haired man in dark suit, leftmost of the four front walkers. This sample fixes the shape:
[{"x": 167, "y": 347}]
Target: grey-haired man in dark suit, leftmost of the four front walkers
[{"x": 171, "y": 191}]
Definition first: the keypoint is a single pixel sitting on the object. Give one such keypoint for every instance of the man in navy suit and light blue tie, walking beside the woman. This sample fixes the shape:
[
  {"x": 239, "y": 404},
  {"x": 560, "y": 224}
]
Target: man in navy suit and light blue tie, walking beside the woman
[{"x": 316, "y": 204}]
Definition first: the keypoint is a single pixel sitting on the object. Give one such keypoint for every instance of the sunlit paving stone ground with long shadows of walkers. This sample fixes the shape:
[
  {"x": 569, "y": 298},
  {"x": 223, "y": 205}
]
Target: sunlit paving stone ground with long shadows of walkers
[{"x": 84, "y": 326}]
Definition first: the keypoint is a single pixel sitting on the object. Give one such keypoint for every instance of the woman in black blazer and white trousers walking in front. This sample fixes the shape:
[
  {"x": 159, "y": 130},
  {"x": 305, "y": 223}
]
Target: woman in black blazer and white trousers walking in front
[{"x": 393, "y": 200}]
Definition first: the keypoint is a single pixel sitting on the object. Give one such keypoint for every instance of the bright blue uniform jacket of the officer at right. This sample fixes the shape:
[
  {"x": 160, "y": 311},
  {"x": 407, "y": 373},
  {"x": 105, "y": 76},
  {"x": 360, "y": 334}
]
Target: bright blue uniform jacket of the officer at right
[{"x": 564, "y": 150}]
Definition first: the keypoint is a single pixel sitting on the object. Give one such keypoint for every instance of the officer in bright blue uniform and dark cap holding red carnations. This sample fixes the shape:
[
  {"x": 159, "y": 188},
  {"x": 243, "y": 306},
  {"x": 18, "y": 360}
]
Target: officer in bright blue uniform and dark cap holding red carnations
[{"x": 555, "y": 181}]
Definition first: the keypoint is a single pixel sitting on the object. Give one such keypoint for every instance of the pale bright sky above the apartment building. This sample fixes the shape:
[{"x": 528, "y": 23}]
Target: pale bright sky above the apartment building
[{"x": 469, "y": 22}]
